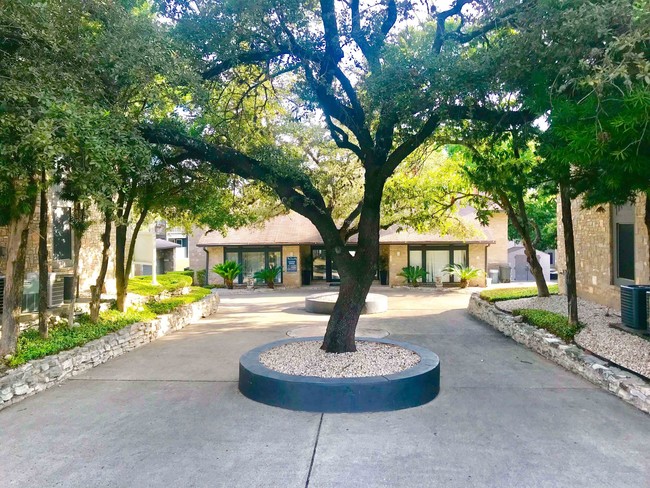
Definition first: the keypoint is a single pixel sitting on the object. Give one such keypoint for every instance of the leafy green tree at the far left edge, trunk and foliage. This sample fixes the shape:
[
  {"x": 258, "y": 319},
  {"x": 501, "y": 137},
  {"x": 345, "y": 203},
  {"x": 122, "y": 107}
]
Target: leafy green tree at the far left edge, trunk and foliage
[{"x": 36, "y": 40}]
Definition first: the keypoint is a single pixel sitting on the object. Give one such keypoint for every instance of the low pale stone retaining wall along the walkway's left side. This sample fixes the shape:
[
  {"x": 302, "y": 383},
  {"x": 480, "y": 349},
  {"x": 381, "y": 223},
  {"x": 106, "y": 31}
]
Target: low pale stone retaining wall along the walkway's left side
[{"x": 40, "y": 374}]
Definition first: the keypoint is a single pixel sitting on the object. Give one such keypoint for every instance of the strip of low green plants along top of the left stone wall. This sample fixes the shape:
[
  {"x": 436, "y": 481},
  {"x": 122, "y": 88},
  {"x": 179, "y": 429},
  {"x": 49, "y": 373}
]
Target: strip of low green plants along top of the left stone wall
[{"x": 32, "y": 346}]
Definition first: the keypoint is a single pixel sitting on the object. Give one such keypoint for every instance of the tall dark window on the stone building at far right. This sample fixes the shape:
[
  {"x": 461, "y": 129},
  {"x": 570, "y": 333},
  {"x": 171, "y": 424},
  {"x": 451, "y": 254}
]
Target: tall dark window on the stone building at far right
[{"x": 623, "y": 244}]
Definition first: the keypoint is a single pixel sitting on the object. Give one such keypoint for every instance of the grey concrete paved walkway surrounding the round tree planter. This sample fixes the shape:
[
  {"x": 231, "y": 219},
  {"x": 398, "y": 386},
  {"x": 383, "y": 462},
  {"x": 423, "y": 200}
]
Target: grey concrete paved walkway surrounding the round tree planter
[{"x": 169, "y": 414}]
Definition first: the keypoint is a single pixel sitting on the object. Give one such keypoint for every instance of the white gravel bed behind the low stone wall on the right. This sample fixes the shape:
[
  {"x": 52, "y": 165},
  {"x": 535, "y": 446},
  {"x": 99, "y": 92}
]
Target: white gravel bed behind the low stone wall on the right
[{"x": 620, "y": 347}]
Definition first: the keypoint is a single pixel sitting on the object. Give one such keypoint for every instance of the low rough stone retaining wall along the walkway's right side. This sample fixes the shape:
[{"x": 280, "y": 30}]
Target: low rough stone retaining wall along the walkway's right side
[{"x": 631, "y": 388}]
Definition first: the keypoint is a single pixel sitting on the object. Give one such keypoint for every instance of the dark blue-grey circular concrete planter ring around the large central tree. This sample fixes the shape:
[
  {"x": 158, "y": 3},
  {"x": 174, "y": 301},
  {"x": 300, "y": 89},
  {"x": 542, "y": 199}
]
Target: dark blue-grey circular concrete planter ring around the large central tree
[{"x": 410, "y": 388}]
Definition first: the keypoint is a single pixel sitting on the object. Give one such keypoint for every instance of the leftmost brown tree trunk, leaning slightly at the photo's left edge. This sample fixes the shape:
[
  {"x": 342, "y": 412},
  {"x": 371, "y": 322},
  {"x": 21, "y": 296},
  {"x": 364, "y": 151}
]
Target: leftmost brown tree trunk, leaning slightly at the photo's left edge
[{"x": 14, "y": 277}]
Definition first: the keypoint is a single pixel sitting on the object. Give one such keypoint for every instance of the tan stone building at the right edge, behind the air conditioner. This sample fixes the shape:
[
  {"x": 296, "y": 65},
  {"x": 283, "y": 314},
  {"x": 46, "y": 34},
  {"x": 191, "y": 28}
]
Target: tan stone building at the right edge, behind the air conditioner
[{"x": 611, "y": 250}]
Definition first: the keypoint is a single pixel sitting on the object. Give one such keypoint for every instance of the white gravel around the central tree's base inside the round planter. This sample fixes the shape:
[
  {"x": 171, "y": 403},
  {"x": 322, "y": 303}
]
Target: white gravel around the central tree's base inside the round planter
[{"x": 306, "y": 358}]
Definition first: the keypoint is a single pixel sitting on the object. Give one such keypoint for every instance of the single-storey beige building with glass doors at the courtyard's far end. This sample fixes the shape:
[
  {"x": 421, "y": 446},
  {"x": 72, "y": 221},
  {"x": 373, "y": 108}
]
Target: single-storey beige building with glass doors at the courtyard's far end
[{"x": 292, "y": 241}]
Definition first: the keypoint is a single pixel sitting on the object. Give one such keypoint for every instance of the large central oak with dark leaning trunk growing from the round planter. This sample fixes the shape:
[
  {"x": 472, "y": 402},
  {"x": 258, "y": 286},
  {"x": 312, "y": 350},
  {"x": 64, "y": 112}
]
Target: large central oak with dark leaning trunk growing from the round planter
[{"x": 382, "y": 85}]
